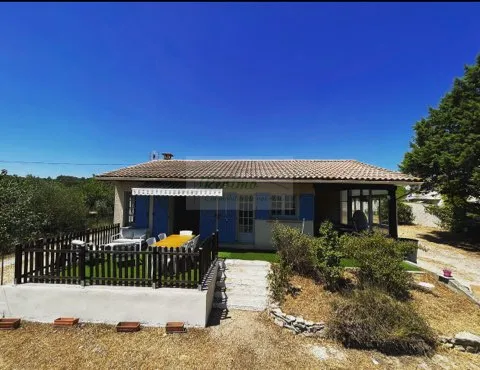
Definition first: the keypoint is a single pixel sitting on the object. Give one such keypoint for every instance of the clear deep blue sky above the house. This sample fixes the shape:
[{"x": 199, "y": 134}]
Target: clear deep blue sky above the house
[{"x": 108, "y": 83}]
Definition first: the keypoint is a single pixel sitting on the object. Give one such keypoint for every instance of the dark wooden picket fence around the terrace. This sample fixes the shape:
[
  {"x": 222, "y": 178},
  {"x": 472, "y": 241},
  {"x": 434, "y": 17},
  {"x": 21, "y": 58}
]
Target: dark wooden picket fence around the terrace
[{"x": 58, "y": 262}]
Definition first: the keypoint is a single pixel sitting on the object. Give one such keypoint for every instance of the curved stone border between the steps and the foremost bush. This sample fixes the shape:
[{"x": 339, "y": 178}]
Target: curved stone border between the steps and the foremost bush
[{"x": 298, "y": 325}]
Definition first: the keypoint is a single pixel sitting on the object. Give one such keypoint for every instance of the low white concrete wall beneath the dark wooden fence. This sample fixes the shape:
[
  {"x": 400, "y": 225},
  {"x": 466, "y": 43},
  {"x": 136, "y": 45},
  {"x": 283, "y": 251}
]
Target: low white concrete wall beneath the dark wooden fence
[{"x": 102, "y": 304}]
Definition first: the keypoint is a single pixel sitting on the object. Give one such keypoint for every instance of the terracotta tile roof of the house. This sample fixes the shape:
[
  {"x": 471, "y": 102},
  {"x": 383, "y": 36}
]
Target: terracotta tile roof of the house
[{"x": 303, "y": 169}]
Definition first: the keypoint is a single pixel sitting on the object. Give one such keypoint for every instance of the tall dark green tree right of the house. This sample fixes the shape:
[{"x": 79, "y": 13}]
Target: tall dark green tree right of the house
[{"x": 445, "y": 151}]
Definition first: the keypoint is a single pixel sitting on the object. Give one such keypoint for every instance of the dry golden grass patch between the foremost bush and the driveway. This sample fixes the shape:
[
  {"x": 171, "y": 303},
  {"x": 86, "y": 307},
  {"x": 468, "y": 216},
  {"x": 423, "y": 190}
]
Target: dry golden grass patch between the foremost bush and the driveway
[{"x": 446, "y": 311}]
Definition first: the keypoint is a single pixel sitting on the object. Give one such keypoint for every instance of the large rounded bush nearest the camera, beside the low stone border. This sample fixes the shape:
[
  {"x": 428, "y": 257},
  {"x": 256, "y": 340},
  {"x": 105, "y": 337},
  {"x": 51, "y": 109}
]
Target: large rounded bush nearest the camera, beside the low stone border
[{"x": 371, "y": 319}]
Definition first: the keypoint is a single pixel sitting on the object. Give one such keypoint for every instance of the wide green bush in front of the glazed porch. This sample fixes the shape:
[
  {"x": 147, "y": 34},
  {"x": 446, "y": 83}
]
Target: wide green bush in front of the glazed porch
[{"x": 379, "y": 258}]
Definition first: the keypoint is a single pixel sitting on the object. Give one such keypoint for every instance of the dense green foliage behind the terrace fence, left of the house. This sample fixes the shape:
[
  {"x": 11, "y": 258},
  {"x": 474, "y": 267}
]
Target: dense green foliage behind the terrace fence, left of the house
[{"x": 32, "y": 207}]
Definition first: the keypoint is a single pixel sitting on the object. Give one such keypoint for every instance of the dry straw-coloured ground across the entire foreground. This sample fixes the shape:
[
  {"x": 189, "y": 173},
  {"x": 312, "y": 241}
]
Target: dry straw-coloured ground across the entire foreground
[{"x": 242, "y": 340}]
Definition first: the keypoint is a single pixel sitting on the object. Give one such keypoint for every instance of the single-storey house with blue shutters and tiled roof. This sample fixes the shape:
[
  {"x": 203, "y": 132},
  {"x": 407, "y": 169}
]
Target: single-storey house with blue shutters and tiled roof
[{"x": 243, "y": 198}]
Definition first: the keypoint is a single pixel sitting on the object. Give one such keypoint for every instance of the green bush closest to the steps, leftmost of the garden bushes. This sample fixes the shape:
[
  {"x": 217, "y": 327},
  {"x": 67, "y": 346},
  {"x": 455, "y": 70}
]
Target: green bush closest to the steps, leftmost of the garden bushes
[{"x": 295, "y": 249}]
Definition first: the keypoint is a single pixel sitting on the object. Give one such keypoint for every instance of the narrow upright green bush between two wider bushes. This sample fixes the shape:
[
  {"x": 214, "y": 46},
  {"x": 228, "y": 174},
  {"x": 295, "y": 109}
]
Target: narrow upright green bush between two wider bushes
[{"x": 329, "y": 254}]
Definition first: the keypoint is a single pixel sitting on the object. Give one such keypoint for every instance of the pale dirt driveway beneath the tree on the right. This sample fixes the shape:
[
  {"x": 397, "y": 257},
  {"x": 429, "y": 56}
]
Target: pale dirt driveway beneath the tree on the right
[{"x": 443, "y": 250}]
